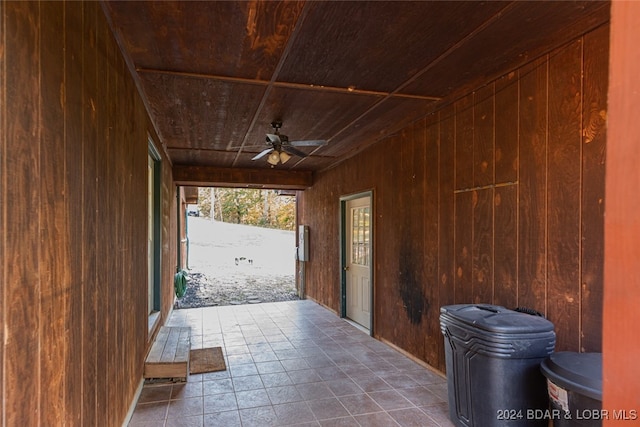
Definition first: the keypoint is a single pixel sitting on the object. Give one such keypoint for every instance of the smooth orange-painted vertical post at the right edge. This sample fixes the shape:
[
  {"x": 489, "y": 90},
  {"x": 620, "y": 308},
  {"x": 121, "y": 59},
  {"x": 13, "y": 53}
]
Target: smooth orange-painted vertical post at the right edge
[{"x": 621, "y": 388}]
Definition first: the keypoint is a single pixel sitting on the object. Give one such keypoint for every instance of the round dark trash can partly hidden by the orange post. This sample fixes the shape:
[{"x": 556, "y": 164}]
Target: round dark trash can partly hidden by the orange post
[{"x": 575, "y": 388}]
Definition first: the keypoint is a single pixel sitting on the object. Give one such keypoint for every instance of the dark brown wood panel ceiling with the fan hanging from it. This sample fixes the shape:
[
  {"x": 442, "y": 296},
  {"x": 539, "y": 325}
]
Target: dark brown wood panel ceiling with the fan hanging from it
[{"x": 215, "y": 74}]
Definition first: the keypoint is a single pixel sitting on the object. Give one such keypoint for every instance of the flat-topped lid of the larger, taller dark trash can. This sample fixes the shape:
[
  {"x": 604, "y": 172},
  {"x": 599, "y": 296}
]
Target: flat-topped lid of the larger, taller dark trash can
[{"x": 496, "y": 319}]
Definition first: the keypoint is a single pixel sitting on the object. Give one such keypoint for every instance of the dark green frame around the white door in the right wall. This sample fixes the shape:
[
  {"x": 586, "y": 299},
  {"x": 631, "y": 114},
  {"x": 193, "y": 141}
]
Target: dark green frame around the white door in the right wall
[{"x": 344, "y": 252}]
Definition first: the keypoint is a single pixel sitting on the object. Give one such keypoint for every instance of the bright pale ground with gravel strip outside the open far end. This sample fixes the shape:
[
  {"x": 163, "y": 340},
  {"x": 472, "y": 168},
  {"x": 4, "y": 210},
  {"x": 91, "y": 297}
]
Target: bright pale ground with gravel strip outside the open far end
[{"x": 232, "y": 264}]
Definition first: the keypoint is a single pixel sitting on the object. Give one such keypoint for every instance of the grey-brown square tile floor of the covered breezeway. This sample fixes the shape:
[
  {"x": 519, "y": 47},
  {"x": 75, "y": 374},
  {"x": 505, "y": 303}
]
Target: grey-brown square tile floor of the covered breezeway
[{"x": 293, "y": 364}]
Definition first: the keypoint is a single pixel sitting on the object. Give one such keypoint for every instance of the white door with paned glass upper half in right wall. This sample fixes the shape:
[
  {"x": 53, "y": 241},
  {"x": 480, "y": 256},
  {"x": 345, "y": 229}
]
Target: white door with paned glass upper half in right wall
[{"x": 358, "y": 259}]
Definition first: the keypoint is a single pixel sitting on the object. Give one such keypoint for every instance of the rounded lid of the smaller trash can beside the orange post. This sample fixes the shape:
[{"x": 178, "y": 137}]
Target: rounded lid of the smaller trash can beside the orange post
[{"x": 578, "y": 372}]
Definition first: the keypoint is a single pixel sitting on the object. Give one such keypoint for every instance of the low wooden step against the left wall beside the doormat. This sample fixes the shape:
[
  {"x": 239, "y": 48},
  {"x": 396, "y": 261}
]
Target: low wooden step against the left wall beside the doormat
[{"x": 169, "y": 355}]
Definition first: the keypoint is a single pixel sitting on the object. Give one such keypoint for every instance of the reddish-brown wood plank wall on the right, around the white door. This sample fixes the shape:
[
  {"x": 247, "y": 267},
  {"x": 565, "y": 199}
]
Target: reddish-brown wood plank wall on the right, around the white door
[{"x": 496, "y": 198}]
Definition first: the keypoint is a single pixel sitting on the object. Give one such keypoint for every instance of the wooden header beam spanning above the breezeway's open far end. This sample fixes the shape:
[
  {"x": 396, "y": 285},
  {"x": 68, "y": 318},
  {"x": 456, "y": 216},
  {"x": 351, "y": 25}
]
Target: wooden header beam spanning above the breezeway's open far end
[{"x": 205, "y": 176}]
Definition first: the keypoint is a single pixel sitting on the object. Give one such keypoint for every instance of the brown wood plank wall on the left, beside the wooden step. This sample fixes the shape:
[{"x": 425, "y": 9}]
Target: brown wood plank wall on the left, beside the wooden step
[{"x": 73, "y": 183}]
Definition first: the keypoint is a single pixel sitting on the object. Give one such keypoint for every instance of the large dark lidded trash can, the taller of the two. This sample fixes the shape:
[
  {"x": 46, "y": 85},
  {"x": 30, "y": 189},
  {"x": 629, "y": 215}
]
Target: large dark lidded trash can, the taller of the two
[{"x": 493, "y": 358}]
